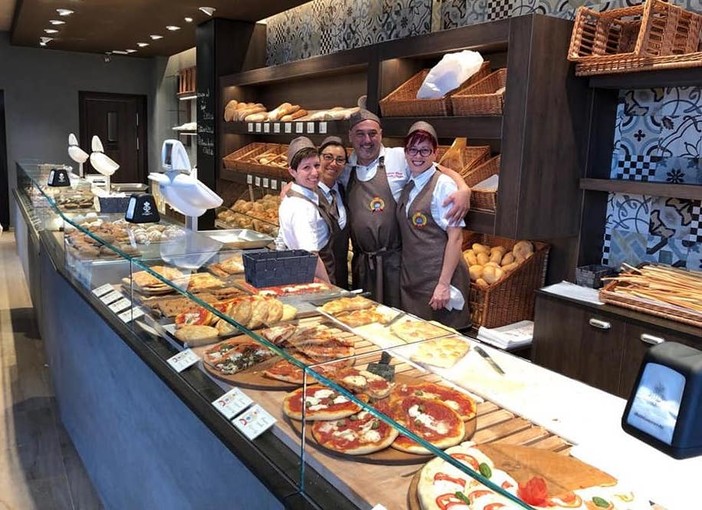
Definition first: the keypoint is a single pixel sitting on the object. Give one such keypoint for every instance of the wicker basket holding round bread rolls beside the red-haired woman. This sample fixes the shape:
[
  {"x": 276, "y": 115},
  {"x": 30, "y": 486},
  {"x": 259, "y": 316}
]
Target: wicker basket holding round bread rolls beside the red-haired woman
[{"x": 512, "y": 298}]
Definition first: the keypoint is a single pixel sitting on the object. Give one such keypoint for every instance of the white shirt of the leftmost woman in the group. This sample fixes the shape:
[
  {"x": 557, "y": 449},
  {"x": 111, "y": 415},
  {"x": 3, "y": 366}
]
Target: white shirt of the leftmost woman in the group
[{"x": 301, "y": 225}]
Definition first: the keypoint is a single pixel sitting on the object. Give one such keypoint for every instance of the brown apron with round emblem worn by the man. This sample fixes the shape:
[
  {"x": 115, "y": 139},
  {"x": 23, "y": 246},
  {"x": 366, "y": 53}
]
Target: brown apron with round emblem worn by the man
[{"x": 375, "y": 236}]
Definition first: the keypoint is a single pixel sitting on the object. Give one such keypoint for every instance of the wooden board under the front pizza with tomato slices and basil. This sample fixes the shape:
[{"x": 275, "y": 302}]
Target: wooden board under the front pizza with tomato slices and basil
[{"x": 562, "y": 473}]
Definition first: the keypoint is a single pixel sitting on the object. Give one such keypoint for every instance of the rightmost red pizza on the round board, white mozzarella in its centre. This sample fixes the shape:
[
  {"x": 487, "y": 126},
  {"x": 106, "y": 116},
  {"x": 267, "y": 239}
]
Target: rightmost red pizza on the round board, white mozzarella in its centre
[{"x": 431, "y": 420}]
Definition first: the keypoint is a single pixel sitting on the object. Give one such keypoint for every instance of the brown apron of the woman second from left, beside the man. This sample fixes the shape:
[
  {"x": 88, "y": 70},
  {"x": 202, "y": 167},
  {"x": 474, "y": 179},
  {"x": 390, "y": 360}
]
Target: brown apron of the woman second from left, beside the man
[{"x": 335, "y": 253}]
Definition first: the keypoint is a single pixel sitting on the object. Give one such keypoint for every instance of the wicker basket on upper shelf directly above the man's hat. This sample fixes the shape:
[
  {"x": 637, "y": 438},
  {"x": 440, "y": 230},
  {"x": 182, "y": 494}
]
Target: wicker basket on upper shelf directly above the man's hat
[{"x": 403, "y": 102}]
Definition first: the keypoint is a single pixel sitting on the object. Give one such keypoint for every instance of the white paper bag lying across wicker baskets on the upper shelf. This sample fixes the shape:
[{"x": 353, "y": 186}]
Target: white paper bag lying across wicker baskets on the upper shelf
[{"x": 449, "y": 73}]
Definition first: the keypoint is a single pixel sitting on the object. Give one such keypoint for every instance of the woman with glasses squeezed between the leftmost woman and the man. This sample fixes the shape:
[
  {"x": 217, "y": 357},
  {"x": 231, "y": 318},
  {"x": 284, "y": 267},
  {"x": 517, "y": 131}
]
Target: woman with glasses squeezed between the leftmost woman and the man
[{"x": 332, "y": 156}]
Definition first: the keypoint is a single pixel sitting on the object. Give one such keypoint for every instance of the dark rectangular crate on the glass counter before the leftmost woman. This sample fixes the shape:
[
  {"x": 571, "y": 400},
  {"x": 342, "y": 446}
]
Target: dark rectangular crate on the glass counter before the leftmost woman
[{"x": 268, "y": 268}]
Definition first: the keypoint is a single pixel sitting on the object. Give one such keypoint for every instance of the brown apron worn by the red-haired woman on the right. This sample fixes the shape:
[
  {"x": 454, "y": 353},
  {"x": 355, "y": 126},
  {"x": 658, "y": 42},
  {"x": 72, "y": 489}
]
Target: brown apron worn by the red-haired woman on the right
[{"x": 423, "y": 245}]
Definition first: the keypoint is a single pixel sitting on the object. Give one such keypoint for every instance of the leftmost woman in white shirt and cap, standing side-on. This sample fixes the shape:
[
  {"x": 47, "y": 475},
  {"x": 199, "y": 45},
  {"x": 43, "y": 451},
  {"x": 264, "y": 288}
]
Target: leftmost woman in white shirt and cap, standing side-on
[{"x": 302, "y": 226}]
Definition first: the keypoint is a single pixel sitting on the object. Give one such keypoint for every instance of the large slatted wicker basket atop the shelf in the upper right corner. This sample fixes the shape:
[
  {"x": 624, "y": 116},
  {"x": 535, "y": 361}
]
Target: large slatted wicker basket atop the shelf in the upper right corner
[{"x": 653, "y": 29}]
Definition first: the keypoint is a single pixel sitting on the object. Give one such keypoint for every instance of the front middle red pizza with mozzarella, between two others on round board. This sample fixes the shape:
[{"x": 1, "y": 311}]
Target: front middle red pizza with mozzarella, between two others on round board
[{"x": 359, "y": 434}]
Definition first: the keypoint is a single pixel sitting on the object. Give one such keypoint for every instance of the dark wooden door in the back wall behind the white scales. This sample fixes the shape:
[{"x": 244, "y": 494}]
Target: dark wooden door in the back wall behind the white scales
[{"x": 120, "y": 122}]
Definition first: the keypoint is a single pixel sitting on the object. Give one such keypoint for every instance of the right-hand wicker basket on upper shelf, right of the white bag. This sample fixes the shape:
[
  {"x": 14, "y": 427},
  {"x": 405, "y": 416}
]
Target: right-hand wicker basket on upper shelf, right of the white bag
[{"x": 486, "y": 97}]
